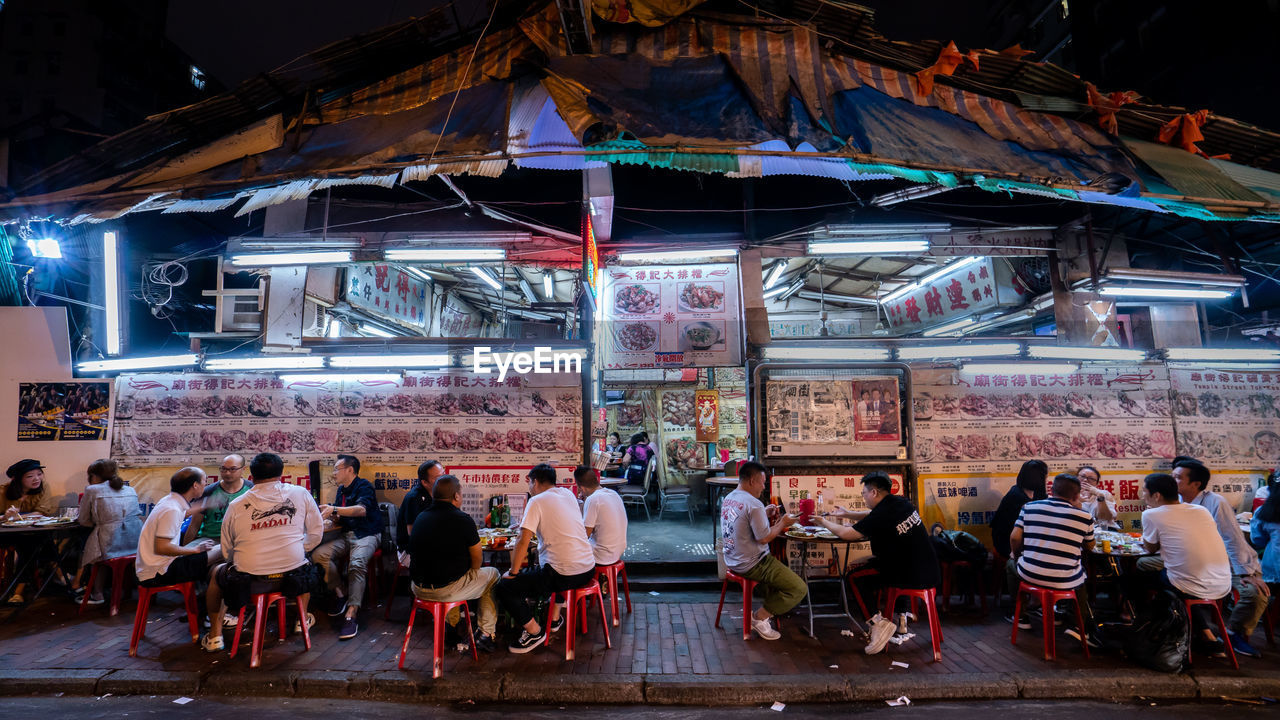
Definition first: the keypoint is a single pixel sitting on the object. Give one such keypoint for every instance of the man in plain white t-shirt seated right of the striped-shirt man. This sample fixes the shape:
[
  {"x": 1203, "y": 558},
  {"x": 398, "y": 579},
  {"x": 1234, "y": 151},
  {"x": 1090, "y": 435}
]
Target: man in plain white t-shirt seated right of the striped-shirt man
[{"x": 1192, "y": 558}]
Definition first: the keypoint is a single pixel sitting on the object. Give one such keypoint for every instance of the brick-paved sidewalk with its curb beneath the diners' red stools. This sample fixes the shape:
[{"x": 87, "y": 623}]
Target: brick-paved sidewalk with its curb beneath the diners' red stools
[{"x": 666, "y": 651}]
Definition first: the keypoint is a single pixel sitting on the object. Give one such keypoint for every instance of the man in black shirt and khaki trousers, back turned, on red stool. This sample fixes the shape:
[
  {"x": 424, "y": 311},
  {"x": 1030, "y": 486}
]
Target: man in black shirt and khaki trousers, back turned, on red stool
[{"x": 445, "y": 552}]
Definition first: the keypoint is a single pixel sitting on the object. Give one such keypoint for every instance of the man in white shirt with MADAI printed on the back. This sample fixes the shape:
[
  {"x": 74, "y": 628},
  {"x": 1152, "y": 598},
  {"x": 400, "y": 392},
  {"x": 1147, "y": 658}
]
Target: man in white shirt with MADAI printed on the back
[{"x": 267, "y": 536}]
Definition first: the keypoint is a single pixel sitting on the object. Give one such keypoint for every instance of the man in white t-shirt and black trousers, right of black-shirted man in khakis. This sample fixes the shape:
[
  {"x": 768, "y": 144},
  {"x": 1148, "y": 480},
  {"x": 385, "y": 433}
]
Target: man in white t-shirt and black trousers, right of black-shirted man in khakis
[{"x": 569, "y": 563}]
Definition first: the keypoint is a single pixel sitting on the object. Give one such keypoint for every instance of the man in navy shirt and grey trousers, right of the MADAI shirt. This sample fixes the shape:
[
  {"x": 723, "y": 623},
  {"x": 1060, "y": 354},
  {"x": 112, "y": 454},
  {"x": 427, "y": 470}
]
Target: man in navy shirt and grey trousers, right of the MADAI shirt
[{"x": 355, "y": 512}]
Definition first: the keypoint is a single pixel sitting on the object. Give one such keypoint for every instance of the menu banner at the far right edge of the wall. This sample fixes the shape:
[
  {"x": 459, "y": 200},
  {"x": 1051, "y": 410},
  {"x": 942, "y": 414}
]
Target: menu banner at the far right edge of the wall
[{"x": 1231, "y": 420}]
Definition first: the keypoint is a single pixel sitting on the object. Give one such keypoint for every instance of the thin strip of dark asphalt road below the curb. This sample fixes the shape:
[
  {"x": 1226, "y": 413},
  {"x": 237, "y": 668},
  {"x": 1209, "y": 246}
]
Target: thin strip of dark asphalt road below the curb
[{"x": 164, "y": 707}]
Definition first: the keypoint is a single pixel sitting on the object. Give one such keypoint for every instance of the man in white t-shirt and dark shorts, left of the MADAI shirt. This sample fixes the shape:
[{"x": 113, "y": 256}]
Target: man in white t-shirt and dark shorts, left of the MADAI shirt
[{"x": 163, "y": 560}]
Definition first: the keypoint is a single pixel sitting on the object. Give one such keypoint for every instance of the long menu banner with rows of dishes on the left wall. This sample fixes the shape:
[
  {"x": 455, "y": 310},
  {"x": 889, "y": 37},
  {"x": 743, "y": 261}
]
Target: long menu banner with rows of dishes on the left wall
[{"x": 461, "y": 420}]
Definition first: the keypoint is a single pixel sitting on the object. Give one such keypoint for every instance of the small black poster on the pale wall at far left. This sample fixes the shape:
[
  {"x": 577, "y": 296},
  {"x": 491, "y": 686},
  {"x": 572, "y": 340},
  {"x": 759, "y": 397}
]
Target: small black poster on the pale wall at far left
[{"x": 63, "y": 412}]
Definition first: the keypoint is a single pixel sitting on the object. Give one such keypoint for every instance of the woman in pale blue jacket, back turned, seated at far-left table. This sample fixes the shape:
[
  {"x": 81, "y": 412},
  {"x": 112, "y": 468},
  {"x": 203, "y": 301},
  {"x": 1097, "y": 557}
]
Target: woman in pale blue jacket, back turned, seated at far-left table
[{"x": 112, "y": 509}]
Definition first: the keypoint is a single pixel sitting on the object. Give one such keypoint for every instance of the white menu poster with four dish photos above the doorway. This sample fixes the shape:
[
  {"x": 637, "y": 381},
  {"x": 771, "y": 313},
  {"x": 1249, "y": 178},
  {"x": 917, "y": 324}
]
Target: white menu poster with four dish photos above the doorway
[{"x": 671, "y": 316}]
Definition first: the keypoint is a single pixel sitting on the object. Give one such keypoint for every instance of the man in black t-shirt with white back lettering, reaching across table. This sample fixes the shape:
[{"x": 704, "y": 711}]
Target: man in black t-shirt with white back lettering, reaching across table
[{"x": 900, "y": 545}]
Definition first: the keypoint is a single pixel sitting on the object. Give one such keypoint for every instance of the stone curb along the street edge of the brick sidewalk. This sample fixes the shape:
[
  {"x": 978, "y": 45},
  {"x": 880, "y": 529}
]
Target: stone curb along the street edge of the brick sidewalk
[{"x": 639, "y": 690}]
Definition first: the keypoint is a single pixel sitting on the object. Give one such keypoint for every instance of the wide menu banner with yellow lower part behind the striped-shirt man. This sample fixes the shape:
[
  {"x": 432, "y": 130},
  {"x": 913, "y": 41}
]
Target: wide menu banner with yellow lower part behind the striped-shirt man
[{"x": 975, "y": 431}]
